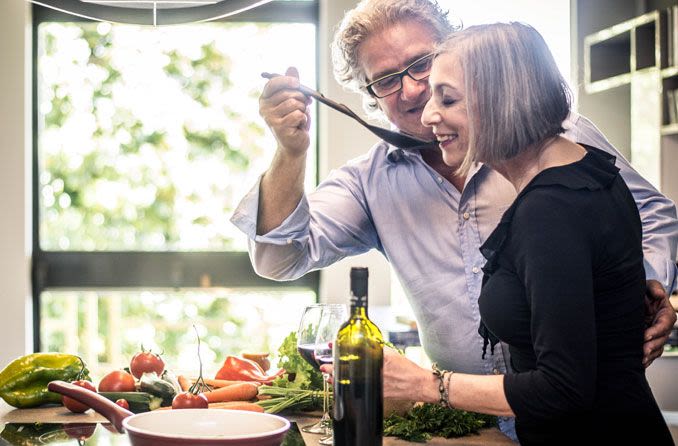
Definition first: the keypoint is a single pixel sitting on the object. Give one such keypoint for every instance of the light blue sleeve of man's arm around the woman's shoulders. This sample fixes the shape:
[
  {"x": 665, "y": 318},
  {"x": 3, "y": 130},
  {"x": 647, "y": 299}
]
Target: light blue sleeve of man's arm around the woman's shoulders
[{"x": 657, "y": 213}]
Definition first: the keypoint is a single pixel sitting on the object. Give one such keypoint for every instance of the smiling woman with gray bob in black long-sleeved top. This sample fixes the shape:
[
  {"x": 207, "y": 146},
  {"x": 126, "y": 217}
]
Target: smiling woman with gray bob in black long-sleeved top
[{"x": 564, "y": 278}]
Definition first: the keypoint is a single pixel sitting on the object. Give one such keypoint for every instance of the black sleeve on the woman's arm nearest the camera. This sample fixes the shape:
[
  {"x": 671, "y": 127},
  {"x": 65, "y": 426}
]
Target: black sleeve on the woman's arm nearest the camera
[{"x": 554, "y": 261}]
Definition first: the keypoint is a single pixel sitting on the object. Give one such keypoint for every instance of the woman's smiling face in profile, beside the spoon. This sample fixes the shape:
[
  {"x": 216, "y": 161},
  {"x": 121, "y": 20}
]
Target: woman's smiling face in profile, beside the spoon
[{"x": 445, "y": 112}]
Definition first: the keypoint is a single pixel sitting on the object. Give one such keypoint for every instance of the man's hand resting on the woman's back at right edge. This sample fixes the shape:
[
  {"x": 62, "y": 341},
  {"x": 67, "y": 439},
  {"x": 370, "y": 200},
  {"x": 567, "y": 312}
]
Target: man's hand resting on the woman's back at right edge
[{"x": 659, "y": 320}]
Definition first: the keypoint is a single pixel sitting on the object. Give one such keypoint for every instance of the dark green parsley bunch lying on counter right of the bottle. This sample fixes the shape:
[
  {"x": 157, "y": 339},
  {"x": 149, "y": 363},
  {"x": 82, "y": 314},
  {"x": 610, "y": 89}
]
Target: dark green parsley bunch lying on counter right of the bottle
[{"x": 425, "y": 421}]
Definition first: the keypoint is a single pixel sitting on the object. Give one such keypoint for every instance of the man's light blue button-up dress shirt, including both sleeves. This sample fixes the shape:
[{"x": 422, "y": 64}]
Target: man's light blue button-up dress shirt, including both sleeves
[{"x": 392, "y": 201}]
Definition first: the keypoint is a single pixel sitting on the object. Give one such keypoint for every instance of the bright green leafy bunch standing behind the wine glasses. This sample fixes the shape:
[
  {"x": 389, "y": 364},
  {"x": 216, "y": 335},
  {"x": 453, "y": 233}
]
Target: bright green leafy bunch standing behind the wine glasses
[{"x": 299, "y": 374}]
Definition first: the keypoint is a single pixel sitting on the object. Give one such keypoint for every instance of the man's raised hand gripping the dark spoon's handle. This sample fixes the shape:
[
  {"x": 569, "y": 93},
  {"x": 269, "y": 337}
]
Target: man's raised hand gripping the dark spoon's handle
[{"x": 285, "y": 110}]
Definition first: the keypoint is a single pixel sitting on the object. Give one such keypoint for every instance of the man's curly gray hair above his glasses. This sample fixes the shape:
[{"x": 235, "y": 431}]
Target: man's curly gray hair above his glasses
[{"x": 372, "y": 16}]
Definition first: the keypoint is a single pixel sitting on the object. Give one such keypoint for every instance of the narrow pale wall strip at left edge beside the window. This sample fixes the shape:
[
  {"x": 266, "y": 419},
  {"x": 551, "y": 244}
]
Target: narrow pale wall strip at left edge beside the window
[{"x": 15, "y": 313}]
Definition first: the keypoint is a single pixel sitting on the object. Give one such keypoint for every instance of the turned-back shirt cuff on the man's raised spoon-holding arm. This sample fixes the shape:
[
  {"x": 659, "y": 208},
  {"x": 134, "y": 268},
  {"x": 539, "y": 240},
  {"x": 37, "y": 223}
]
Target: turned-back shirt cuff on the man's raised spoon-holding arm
[{"x": 293, "y": 229}]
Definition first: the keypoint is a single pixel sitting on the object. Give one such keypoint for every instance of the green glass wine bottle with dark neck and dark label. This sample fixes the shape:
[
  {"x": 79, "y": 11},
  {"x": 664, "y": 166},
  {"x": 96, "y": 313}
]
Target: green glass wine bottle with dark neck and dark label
[{"x": 358, "y": 373}]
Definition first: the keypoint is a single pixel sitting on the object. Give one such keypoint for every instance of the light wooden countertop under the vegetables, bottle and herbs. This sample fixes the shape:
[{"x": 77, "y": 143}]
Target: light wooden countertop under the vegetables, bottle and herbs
[{"x": 59, "y": 414}]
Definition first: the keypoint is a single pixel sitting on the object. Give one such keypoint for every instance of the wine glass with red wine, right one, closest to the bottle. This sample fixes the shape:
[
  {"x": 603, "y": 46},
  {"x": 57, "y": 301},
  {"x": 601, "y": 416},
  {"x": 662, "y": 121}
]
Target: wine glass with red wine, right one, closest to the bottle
[{"x": 333, "y": 316}]
